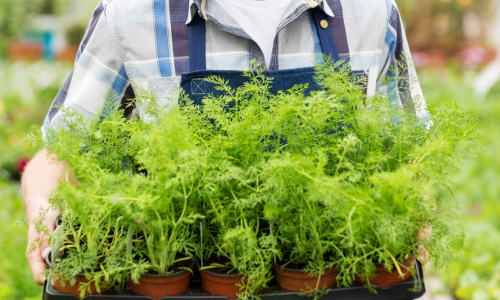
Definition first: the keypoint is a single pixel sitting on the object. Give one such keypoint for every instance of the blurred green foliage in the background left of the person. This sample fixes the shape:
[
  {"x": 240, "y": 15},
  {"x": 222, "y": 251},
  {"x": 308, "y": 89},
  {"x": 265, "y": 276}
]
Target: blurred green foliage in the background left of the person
[{"x": 25, "y": 97}]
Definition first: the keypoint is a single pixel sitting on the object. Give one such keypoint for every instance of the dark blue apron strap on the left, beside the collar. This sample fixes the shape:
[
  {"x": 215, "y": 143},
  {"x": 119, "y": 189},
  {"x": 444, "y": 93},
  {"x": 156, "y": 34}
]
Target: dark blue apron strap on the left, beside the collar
[{"x": 197, "y": 46}]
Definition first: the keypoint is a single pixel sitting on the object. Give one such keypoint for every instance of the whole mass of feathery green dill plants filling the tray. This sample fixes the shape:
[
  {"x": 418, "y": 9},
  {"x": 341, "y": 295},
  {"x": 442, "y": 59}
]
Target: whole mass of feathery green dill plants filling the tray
[{"x": 332, "y": 179}]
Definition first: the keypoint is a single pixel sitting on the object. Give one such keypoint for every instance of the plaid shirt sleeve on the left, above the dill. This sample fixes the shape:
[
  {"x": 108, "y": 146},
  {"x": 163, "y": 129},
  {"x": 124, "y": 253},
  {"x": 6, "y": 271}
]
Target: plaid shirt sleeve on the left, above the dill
[{"x": 98, "y": 69}]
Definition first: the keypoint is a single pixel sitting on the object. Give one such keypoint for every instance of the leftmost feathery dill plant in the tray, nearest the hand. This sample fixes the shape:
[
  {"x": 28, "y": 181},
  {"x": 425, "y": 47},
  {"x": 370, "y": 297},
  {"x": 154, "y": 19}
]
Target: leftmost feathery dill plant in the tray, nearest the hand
[{"x": 95, "y": 150}]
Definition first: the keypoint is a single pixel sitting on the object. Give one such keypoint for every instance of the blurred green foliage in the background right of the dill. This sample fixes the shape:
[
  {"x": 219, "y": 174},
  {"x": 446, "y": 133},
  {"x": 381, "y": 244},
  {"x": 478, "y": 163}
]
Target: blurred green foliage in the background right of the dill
[{"x": 476, "y": 274}]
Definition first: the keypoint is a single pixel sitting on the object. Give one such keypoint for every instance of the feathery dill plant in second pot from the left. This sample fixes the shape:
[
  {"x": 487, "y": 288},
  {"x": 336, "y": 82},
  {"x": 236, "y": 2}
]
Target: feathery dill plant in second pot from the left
[{"x": 167, "y": 218}]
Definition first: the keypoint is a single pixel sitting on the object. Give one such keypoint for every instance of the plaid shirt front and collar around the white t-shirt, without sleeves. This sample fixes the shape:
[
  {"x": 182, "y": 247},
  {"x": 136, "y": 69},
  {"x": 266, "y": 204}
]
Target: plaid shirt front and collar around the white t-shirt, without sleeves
[{"x": 154, "y": 38}]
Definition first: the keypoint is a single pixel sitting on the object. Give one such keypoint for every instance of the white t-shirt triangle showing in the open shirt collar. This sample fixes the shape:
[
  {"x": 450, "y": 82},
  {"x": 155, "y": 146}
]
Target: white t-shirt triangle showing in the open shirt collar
[{"x": 259, "y": 19}]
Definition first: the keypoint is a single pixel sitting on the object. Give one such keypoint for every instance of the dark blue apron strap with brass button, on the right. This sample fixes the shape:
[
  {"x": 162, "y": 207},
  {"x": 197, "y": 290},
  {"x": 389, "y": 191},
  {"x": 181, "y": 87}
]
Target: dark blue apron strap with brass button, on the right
[{"x": 326, "y": 37}]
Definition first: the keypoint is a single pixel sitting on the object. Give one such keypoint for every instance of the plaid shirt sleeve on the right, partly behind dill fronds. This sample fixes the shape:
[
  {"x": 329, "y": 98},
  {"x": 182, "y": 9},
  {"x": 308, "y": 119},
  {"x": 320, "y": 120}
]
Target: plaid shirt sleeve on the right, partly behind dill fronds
[{"x": 399, "y": 75}]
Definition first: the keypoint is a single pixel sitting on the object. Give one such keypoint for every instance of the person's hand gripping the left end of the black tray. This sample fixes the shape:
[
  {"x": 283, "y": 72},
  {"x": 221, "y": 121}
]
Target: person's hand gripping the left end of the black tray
[{"x": 36, "y": 258}]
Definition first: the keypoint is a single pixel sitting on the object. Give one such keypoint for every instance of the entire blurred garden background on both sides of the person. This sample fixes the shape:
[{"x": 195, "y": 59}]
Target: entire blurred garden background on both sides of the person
[{"x": 455, "y": 46}]
